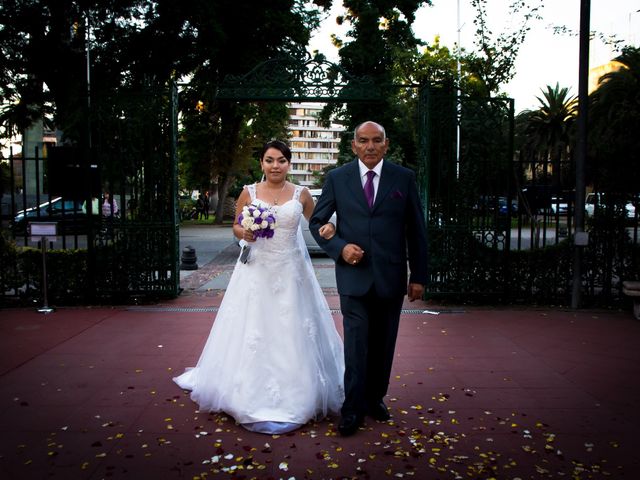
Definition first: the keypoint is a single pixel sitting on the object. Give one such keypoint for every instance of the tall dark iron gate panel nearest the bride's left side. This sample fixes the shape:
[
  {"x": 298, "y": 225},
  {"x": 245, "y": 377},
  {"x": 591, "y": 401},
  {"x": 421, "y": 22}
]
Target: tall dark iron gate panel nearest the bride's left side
[{"x": 137, "y": 253}]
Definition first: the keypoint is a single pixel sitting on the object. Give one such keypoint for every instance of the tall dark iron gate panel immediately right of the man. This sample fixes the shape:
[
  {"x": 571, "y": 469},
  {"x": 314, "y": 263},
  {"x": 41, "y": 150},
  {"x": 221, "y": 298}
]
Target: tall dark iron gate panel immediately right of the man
[{"x": 467, "y": 183}]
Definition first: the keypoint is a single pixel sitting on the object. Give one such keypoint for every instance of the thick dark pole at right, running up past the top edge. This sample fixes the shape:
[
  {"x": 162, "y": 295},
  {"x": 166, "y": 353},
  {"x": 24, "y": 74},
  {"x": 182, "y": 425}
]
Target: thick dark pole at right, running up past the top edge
[{"x": 581, "y": 238}]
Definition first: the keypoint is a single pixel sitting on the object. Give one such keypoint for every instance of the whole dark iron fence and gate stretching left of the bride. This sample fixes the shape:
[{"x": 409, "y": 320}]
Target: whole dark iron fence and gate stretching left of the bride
[{"x": 131, "y": 251}]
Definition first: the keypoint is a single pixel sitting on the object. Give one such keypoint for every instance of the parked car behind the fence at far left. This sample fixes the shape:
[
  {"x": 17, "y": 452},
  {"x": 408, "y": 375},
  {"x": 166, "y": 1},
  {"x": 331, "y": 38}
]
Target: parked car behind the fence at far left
[{"x": 71, "y": 216}]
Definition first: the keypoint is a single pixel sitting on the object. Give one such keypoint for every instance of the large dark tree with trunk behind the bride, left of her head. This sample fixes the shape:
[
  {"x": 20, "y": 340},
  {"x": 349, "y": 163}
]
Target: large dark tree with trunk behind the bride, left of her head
[{"x": 232, "y": 38}]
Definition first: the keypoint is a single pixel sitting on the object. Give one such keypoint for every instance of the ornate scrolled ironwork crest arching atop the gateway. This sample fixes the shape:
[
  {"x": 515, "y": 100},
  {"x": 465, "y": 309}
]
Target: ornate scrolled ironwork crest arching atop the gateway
[{"x": 301, "y": 78}]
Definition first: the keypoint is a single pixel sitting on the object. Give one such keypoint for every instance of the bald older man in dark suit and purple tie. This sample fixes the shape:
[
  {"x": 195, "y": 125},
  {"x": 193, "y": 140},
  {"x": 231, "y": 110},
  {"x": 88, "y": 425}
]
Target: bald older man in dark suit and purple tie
[{"x": 380, "y": 223}]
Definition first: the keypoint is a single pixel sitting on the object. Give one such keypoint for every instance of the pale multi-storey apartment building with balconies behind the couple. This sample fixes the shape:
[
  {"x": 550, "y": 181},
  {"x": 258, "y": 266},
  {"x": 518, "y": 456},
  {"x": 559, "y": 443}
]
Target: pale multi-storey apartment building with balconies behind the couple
[{"x": 312, "y": 146}]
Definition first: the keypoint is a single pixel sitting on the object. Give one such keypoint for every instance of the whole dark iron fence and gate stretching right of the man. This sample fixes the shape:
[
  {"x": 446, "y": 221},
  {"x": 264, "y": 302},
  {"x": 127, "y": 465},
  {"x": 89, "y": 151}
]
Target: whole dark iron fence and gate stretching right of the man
[{"x": 501, "y": 224}]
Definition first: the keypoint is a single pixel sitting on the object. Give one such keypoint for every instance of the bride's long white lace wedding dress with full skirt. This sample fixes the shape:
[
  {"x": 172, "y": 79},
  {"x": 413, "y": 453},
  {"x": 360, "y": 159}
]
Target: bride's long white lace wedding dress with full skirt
[{"x": 274, "y": 359}]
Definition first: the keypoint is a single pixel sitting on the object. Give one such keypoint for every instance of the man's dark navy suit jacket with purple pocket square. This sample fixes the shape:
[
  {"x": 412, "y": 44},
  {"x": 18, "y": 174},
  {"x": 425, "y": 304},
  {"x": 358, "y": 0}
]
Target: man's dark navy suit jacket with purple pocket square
[{"x": 389, "y": 233}]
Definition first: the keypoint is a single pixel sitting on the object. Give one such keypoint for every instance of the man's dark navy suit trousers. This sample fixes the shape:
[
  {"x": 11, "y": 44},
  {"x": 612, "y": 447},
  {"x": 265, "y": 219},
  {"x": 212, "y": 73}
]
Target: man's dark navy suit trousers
[{"x": 370, "y": 325}]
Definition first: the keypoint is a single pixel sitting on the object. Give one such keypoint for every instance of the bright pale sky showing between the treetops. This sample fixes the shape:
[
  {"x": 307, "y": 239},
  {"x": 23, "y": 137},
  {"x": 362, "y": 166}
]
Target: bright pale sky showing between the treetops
[{"x": 544, "y": 59}]
